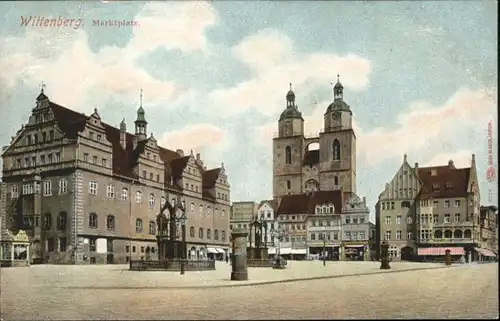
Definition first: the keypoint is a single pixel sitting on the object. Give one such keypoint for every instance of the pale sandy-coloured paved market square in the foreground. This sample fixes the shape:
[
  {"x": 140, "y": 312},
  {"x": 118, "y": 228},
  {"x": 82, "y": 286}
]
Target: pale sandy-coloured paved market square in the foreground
[{"x": 57, "y": 292}]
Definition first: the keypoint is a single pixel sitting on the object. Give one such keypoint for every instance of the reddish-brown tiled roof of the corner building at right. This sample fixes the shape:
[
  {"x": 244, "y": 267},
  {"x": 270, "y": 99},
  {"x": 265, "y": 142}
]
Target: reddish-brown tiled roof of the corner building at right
[{"x": 443, "y": 181}]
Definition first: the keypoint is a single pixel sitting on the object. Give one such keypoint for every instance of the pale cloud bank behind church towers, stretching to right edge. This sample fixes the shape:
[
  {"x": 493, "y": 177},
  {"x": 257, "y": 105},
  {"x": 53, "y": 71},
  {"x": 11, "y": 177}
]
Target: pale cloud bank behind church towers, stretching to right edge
[{"x": 423, "y": 132}]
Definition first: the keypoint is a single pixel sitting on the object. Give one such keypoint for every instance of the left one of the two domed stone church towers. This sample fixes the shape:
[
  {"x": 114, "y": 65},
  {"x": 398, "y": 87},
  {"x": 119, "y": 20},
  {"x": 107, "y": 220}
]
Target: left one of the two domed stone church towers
[{"x": 287, "y": 150}]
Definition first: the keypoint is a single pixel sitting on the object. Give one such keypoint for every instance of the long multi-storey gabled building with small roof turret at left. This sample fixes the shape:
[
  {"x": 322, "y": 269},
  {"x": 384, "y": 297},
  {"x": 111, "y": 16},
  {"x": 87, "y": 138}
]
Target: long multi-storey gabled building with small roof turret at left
[{"x": 88, "y": 192}]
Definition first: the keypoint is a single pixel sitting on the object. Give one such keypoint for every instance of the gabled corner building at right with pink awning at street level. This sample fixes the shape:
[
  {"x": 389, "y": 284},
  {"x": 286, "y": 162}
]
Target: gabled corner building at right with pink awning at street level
[{"x": 436, "y": 208}]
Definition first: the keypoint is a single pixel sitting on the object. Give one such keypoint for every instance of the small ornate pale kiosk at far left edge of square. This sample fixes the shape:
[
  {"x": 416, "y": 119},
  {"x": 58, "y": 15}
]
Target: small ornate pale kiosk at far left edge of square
[{"x": 14, "y": 249}]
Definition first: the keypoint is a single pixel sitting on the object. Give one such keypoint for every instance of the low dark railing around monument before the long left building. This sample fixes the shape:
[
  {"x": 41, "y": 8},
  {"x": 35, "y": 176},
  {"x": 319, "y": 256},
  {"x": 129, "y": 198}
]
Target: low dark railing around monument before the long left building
[{"x": 172, "y": 265}]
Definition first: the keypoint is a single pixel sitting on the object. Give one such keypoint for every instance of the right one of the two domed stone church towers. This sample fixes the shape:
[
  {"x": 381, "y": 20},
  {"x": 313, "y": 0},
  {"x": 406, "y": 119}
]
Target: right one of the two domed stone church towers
[{"x": 338, "y": 145}]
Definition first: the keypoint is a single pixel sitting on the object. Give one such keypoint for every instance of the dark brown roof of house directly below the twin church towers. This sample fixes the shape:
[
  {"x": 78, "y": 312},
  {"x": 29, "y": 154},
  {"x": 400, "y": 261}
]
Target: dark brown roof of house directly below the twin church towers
[{"x": 306, "y": 203}]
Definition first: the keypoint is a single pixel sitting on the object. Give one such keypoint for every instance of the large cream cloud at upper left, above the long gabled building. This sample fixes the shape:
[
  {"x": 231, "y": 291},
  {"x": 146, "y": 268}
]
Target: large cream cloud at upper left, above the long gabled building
[{"x": 86, "y": 79}]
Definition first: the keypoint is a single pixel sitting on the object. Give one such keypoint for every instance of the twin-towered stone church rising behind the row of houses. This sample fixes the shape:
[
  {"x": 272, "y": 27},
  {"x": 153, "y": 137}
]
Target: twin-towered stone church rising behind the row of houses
[{"x": 297, "y": 169}]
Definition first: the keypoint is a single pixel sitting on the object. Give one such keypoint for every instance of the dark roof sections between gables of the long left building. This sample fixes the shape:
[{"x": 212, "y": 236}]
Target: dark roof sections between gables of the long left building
[{"x": 125, "y": 159}]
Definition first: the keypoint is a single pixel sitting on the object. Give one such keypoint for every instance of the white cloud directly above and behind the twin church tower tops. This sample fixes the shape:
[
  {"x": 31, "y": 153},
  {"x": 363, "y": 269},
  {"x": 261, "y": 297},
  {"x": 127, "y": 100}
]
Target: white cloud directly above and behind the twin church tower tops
[{"x": 273, "y": 63}]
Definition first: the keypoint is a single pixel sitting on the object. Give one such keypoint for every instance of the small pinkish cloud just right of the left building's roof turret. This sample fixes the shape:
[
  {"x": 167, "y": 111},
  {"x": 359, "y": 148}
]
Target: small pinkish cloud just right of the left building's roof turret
[{"x": 194, "y": 137}]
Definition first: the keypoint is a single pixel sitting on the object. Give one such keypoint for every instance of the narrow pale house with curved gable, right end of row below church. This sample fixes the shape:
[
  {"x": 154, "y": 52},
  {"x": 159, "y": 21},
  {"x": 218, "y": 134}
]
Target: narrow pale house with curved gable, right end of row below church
[{"x": 355, "y": 229}]
